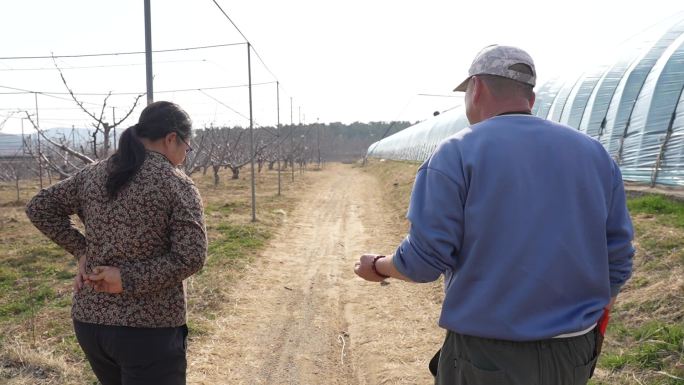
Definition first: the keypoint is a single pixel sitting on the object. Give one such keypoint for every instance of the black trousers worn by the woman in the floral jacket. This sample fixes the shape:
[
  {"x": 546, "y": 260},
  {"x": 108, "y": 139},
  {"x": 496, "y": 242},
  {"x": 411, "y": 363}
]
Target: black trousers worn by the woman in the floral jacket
[{"x": 121, "y": 355}]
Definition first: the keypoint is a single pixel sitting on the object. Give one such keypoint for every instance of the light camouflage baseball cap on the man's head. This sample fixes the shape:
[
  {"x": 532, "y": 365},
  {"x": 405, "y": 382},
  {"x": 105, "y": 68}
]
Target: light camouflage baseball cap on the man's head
[{"x": 497, "y": 60}]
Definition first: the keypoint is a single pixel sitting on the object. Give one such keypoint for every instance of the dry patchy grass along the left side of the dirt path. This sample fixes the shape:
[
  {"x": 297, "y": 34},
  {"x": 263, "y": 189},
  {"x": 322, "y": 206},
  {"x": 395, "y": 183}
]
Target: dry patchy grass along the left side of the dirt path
[{"x": 37, "y": 345}]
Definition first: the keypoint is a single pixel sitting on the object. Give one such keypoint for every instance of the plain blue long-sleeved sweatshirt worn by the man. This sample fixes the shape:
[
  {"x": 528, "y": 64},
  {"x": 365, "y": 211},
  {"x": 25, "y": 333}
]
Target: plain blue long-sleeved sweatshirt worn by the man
[{"x": 528, "y": 221}]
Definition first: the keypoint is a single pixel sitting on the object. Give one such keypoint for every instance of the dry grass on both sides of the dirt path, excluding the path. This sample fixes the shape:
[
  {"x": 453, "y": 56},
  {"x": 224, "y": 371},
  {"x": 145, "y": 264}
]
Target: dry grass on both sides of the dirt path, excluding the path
[{"x": 645, "y": 341}]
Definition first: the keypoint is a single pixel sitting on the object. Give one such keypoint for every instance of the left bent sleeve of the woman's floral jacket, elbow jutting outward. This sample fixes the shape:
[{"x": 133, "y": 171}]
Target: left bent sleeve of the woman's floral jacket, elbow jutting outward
[{"x": 51, "y": 209}]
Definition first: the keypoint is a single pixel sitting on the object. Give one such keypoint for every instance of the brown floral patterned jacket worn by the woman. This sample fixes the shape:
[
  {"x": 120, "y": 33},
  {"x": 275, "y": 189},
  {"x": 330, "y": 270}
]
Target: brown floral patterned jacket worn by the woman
[{"x": 153, "y": 231}]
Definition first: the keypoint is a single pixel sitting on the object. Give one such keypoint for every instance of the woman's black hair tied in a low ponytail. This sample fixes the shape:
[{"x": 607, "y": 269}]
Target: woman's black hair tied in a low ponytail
[{"x": 156, "y": 121}]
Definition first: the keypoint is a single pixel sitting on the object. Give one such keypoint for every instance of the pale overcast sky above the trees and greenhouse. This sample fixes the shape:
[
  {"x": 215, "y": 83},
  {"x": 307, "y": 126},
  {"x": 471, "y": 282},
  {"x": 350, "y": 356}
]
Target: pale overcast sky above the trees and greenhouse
[{"x": 339, "y": 60}]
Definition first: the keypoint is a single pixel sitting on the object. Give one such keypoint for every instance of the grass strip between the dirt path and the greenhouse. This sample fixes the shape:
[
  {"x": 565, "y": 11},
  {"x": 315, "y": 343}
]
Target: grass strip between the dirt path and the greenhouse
[{"x": 645, "y": 342}]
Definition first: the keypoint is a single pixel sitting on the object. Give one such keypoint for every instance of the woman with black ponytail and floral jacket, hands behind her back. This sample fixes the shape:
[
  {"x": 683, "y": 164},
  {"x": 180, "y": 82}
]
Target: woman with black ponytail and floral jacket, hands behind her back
[{"x": 144, "y": 234}]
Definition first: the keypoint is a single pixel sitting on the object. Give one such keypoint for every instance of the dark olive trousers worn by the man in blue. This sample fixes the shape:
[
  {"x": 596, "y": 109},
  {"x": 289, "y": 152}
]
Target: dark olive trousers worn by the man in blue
[{"x": 467, "y": 360}]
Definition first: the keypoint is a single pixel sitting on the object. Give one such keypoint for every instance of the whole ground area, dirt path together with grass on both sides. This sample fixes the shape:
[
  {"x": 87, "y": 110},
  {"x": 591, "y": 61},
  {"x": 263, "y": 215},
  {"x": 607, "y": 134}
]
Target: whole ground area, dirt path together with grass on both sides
[{"x": 267, "y": 285}]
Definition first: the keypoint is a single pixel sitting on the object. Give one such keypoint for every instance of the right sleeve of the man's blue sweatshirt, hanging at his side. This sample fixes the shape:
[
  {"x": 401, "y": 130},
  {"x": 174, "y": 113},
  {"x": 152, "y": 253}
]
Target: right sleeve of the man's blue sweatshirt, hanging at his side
[{"x": 619, "y": 234}]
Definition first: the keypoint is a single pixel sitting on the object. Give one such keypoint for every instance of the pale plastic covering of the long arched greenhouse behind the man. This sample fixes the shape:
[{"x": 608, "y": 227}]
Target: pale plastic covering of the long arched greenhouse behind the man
[{"x": 634, "y": 106}]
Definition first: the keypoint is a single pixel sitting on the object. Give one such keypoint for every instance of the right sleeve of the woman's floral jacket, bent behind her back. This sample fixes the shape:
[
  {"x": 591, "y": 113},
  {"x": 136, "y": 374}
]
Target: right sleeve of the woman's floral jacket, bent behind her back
[{"x": 187, "y": 252}]
